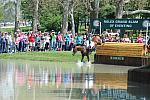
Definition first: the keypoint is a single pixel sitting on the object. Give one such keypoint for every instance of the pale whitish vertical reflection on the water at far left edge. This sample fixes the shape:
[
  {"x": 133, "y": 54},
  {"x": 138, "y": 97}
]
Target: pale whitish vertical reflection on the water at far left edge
[{"x": 6, "y": 81}]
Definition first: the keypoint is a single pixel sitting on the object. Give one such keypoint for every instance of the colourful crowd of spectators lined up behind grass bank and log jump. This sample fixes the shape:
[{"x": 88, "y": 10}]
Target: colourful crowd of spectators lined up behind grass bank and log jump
[{"x": 56, "y": 41}]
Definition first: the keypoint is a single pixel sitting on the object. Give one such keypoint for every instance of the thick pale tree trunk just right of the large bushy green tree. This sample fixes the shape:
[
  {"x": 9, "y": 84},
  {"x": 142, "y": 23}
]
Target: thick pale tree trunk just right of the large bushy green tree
[{"x": 65, "y": 16}]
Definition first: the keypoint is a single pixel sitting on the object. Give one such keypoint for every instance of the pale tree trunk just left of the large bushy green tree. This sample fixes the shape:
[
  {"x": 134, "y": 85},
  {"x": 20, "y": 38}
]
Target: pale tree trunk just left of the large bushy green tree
[{"x": 35, "y": 15}]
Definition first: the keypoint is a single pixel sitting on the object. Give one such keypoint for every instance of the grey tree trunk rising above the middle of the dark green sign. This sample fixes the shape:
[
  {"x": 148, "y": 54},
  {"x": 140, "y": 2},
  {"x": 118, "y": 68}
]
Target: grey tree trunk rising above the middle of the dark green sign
[{"x": 119, "y": 10}]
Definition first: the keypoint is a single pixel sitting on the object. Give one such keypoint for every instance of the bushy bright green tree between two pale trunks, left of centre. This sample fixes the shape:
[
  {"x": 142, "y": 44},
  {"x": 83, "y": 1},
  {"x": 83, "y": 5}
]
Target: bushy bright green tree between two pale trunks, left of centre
[{"x": 50, "y": 15}]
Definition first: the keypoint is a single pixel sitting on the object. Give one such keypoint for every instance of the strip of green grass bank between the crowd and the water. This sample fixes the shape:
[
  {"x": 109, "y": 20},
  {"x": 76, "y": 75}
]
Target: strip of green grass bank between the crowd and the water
[{"x": 46, "y": 56}]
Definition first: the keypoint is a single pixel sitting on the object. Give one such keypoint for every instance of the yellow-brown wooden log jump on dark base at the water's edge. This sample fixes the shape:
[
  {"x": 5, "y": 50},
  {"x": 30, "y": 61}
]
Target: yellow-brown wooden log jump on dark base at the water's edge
[{"x": 130, "y": 54}]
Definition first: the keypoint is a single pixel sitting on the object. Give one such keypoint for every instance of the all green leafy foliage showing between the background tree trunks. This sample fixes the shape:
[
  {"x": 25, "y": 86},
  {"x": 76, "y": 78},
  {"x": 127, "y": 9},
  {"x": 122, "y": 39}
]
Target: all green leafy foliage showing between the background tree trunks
[{"x": 50, "y": 11}]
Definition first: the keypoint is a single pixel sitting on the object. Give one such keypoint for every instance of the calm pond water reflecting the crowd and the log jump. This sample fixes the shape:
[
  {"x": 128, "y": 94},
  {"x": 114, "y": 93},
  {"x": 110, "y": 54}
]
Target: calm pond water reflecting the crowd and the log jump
[{"x": 27, "y": 80}]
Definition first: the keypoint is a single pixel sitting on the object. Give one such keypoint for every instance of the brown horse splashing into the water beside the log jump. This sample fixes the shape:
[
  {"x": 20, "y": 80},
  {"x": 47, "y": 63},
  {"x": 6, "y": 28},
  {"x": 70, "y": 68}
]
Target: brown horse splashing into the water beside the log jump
[{"x": 85, "y": 50}]
